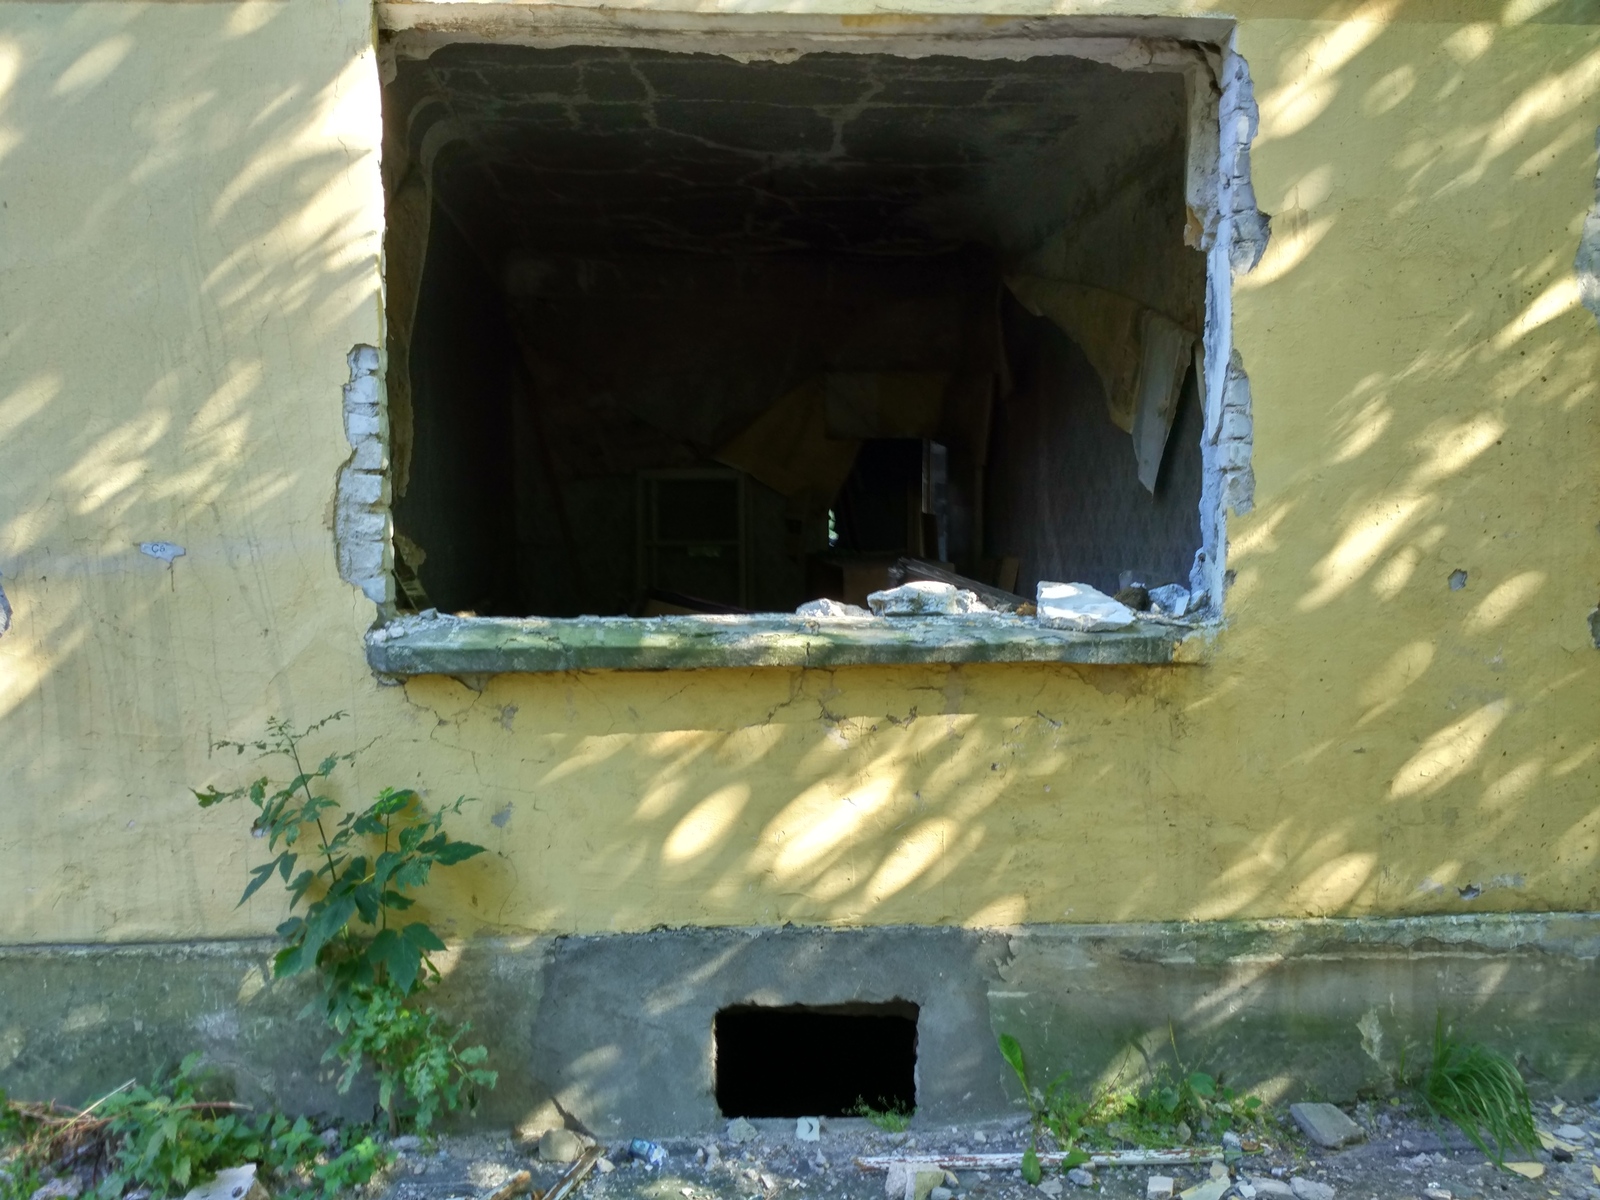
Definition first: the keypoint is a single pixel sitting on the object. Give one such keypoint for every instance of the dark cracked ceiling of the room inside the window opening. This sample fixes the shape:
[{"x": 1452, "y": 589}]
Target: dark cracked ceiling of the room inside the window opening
[{"x": 609, "y": 151}]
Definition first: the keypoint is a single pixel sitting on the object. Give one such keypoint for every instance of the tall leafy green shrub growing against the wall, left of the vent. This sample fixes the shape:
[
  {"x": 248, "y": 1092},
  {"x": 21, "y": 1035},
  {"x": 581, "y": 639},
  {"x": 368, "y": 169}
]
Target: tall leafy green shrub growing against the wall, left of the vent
[{"x": 351, "y": 886}]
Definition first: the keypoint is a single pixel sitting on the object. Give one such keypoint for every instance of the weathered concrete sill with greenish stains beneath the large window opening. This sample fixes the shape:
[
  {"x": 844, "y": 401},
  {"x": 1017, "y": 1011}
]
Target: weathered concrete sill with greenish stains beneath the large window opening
[{"x": 449, "y": 646}]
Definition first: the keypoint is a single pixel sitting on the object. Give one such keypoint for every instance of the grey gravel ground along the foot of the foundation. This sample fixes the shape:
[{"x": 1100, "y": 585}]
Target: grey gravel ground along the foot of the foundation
[{"x": 1402, "y": 1158}]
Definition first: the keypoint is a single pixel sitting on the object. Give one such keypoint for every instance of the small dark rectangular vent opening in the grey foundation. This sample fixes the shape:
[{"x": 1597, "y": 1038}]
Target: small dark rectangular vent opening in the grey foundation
[{"x": 817, "y": 1062}]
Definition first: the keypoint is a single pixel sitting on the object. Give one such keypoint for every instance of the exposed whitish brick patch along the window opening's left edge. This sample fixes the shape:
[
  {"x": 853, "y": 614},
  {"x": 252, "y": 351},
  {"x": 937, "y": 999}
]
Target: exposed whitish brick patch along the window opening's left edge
[{"x": 361, "y": 514}]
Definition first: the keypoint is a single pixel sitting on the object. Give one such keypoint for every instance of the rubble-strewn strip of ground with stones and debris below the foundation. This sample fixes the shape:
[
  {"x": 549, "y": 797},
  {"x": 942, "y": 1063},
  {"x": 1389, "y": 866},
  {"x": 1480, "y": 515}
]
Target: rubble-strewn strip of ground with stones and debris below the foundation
[{"x": 1404, "y": 1158}]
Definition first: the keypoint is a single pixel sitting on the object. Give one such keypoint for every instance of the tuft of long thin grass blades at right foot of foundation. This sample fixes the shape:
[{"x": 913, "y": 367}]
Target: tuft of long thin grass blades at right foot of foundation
[{"x": 1481, "y": 1092}]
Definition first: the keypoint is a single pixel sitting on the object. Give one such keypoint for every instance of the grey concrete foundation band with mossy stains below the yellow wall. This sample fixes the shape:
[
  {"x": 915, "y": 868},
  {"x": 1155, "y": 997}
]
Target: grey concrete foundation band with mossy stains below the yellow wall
[{"x": 615, "y": 1034}]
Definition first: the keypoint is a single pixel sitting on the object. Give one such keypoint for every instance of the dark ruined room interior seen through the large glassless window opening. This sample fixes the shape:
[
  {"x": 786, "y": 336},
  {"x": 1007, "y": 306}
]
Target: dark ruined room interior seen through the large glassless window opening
[{"x": 700, "y": 335}]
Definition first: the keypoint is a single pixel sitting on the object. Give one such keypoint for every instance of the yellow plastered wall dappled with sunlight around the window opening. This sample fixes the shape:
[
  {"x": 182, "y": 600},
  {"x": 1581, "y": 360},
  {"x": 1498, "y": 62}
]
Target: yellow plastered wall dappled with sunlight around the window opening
[{"x": 190, "y": 239}]
